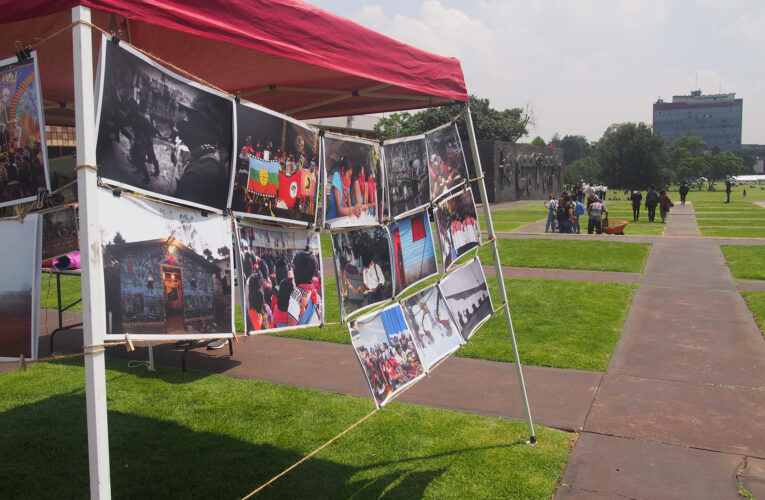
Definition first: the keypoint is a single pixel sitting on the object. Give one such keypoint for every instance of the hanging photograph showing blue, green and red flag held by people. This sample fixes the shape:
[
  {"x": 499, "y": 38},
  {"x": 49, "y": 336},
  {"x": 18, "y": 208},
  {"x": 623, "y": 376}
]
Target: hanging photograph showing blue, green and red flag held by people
[{"x": 277, "y": 167}]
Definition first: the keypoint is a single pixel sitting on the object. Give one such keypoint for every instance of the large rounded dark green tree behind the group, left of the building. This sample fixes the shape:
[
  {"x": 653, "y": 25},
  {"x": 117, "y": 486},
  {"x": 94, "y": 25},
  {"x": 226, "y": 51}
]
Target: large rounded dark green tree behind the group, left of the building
[{"x": 632, "y": 156}]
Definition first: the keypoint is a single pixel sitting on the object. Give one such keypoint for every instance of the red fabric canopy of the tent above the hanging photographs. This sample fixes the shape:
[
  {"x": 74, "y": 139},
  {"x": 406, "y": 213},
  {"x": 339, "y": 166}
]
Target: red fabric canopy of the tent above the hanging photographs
[{"x": 285, "y": 55}]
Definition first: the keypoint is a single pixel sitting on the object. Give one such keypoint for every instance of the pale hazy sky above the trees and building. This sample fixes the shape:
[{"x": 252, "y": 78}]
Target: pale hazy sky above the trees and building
[{"x": 582, "y": 66}]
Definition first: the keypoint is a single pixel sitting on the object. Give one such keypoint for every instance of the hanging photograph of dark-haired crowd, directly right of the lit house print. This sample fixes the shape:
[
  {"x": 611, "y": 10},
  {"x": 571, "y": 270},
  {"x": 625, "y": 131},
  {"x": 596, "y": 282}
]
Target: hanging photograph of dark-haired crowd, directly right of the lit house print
[{"x": 281, "y": 278}]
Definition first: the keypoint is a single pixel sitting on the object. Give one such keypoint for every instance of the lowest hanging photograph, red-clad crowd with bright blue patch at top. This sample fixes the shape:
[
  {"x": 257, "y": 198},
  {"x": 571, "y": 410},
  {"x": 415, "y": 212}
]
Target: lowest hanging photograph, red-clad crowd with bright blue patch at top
[{"x": 389, "y": 358}]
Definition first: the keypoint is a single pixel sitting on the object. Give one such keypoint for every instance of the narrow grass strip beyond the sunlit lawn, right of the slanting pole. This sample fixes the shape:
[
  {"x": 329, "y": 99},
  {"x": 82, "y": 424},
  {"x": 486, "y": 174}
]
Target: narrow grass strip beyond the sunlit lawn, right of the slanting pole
[{"x": 570, "y": 254}]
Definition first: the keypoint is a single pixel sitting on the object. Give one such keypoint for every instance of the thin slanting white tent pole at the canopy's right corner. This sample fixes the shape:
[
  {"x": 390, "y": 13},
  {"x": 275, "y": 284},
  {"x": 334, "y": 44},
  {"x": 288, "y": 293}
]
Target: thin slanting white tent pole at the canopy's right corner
[{"x": 498, "y": 266}]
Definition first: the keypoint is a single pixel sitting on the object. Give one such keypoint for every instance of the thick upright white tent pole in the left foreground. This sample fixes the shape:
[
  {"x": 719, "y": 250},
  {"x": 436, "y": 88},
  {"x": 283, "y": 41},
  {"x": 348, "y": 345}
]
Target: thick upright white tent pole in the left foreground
[{"x": 93, "y": 320}]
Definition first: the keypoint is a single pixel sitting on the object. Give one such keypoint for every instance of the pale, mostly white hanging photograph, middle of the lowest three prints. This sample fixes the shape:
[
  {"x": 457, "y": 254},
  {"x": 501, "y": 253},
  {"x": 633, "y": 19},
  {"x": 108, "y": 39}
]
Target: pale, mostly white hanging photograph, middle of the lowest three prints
[{"x": 432, "y": 326}]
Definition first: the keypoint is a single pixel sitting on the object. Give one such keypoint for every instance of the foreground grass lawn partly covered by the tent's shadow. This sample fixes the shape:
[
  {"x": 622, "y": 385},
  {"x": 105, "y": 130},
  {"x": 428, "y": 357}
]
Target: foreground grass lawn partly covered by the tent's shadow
[{"x": 194, "y": 435}]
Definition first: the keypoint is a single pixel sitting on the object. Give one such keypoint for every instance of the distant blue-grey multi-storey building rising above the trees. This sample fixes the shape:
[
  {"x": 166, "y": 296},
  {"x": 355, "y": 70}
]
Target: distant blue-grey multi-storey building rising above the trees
[{"x": 715, "y": 118}]
